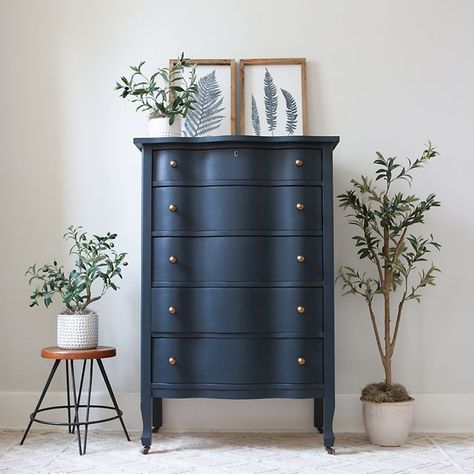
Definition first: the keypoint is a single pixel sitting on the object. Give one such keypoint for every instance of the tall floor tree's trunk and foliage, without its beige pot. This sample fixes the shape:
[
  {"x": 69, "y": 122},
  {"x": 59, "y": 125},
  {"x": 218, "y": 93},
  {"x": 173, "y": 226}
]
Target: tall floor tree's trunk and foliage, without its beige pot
[{"x": 384, "y": 219}]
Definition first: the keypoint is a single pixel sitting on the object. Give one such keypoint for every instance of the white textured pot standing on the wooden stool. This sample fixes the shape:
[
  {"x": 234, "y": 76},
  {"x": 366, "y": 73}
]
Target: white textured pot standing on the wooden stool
[{"x": 78, "y": 331}]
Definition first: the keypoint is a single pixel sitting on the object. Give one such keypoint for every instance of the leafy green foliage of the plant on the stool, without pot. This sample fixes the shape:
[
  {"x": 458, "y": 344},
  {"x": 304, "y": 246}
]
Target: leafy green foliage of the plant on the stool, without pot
[{"x": 96, "y": 266}]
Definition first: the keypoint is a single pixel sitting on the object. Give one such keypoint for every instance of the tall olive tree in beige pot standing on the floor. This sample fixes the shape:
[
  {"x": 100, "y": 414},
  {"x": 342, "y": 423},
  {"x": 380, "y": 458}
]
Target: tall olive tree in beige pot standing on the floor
[{"x": 384, "y": 219}]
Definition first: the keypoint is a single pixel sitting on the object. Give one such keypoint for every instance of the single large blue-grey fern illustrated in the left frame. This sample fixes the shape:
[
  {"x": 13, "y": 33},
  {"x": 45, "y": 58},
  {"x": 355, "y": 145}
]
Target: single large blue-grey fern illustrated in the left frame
[{"x": 206, "y": 115}]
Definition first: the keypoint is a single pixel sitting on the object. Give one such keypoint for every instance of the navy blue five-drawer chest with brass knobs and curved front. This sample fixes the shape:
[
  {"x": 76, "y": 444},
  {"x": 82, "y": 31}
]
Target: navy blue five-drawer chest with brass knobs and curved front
[{"x": 237, "y": 272}]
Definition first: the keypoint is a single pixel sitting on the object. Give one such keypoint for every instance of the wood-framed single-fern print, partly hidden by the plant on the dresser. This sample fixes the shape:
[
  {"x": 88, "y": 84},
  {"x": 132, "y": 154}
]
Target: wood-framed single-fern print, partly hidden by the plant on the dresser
[{"x": 214, "y": 110}]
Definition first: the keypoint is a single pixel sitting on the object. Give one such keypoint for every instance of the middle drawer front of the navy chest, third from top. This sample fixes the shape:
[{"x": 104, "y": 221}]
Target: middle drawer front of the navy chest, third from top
[{"x": 237, "y": 259}]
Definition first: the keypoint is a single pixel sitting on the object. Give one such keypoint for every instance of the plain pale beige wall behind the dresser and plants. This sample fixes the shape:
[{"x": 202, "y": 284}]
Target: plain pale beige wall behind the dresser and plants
[{"x": 384, "y": 75}]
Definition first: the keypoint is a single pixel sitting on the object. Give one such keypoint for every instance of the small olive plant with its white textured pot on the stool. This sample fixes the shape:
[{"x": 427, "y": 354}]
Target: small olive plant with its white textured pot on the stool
[{"x": 96, "y": 268}]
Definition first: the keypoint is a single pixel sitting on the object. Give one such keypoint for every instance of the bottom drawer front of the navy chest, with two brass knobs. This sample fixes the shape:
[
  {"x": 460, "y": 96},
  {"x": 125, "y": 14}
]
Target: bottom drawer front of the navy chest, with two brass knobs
[{"x": 237, "y": 361}]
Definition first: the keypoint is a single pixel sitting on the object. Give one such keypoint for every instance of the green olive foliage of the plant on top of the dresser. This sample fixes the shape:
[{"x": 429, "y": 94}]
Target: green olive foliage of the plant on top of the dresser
[{"x": 166, "y": 93}]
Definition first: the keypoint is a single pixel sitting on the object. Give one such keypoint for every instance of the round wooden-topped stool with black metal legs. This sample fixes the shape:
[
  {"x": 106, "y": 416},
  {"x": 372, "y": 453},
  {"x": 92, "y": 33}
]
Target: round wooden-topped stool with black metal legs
[{"x": 101, "y": 352}]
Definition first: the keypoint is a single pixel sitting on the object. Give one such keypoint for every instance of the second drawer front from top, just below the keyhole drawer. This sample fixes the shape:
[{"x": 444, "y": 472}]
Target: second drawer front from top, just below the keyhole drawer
[{"x": 237, "y": 208}]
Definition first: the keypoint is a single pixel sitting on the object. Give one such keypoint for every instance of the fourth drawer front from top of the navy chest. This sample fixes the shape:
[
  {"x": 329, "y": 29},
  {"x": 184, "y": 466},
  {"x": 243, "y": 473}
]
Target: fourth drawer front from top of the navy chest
[{"x": 237, "y": 310}]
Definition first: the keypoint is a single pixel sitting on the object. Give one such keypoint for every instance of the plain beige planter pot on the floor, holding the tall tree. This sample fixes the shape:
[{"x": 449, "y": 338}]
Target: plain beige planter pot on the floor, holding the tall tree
[{"x": 388, "y": 424}]
